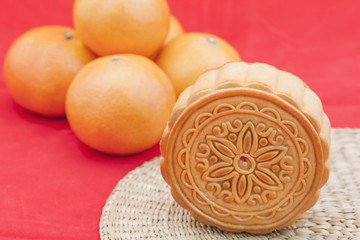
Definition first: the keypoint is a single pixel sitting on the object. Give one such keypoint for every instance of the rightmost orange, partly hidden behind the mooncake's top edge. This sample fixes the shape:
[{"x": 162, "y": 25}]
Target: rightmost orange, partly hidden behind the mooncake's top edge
[{"x": 185, "y": 58}]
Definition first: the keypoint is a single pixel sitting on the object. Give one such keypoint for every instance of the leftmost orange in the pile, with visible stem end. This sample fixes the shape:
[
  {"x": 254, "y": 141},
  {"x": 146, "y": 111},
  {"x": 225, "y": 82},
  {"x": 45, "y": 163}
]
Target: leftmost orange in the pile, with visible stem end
[{"x": 41, "y": 64}]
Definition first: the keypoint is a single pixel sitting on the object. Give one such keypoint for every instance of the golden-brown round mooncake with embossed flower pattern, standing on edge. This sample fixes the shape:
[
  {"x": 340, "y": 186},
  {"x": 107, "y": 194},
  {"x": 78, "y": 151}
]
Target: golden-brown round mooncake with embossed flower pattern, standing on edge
[{"x": 246, "y": 148}]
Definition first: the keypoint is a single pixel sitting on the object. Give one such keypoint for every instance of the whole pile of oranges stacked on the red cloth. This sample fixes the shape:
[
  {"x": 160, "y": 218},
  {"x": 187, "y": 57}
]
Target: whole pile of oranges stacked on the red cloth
[{"x": 117, "y": 76}]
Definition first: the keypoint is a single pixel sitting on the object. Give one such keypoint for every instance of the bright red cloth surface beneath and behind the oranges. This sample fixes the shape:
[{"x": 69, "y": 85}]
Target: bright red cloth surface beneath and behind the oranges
[{"x": 54, "y": 187}]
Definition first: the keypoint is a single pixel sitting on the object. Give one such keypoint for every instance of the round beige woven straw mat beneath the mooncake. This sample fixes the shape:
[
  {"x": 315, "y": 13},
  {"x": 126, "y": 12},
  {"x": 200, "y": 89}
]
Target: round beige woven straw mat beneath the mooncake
[{"x": 141, "y": 206}]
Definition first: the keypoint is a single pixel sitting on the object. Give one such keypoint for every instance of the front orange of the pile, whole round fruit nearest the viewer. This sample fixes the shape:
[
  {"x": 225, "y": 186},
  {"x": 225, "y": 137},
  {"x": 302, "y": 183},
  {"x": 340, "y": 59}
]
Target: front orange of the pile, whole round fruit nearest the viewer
[{"x": 120, "y": 104}]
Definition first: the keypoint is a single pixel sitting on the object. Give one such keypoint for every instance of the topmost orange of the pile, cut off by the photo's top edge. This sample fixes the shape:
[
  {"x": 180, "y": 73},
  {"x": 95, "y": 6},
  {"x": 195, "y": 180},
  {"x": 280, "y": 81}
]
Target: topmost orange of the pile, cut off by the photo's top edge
[{"x": 113, "y": 27}]
